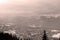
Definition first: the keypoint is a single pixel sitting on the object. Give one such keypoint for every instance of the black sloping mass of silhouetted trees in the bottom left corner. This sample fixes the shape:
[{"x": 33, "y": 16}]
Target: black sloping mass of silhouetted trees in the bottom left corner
[{"x": 6, "y": 36}]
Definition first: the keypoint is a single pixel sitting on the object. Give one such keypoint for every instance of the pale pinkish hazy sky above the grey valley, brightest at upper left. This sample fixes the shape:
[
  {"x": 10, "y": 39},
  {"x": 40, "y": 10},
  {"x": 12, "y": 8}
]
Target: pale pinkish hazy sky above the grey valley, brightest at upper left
[{"x": 29, "y": 7}]
